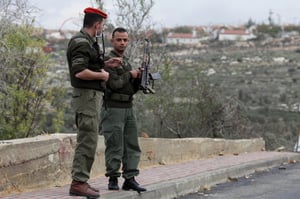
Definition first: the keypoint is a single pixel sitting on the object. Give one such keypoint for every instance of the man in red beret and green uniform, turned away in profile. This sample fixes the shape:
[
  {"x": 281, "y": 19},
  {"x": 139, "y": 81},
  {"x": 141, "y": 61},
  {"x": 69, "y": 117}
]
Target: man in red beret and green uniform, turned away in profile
[{"x": 86, "y": 74}]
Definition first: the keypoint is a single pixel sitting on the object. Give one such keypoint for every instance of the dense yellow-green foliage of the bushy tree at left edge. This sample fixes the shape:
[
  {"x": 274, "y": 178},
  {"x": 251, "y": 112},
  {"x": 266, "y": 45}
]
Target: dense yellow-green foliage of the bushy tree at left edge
[{"x": 22, "y": 69}]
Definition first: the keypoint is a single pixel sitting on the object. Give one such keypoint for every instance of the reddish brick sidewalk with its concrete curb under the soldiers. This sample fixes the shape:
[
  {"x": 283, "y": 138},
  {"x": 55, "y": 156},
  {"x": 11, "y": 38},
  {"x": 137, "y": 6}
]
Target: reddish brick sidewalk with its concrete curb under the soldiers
[{"x": 176, "y": 180}]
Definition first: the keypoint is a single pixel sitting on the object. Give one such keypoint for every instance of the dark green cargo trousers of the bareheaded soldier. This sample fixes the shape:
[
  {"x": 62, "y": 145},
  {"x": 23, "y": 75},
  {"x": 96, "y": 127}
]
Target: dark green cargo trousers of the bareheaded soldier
[{"x": 121, "y": 140}]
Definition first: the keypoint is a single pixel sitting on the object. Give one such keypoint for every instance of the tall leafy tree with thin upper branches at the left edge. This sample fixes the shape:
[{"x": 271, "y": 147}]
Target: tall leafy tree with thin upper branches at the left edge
[{"x": 24, "y": 98}]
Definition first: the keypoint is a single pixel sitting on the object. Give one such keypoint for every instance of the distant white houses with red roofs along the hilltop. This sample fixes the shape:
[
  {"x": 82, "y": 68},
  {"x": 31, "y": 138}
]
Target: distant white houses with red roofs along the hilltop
[{"x": 197, "y": 36}]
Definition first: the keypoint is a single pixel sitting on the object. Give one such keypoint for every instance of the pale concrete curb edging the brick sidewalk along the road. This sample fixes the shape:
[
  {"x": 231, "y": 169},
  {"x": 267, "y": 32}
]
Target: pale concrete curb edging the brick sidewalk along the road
[{"x": 177, "y": 187}]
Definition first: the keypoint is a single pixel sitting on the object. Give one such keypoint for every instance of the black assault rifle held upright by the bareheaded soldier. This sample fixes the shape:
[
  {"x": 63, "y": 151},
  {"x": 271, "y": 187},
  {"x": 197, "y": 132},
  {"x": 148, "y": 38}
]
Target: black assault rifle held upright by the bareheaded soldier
[{"x": 147, "y": 78}]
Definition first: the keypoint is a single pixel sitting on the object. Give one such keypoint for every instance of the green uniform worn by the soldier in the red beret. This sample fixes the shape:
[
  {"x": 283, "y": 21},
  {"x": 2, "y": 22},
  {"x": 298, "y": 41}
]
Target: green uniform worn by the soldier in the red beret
[{"x": 86, "y": 102}]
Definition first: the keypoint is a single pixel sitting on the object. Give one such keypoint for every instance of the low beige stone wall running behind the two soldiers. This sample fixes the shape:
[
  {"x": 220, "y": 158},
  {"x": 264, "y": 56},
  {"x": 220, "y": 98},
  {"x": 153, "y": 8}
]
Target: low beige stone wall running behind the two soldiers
[{"x": 45, "y": 161}]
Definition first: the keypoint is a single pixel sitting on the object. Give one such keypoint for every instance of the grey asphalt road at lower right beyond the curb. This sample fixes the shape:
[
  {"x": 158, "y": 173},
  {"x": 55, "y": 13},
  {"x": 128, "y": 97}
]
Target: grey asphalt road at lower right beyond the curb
[{"x": 281, "y": 182}]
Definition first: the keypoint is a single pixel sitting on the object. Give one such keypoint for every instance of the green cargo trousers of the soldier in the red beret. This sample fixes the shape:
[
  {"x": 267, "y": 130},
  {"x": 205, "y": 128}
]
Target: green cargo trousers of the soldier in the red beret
[{"x": 86, "y": 104}]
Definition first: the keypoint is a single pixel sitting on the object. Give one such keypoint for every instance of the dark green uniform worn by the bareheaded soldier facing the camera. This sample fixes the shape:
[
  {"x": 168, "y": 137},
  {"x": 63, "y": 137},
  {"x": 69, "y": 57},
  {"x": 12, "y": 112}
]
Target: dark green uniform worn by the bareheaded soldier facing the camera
[{"x": 118, "y": 122}]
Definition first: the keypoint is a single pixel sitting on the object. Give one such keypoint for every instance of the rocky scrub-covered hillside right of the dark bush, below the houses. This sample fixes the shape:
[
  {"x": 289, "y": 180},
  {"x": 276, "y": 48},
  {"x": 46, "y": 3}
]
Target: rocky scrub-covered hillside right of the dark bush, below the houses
[{"x": 265, "y": 81}]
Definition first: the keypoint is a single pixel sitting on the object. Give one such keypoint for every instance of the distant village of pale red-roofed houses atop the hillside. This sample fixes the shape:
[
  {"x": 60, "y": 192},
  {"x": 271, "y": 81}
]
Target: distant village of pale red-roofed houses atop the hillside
[{"x": 197, "y": 35}]
